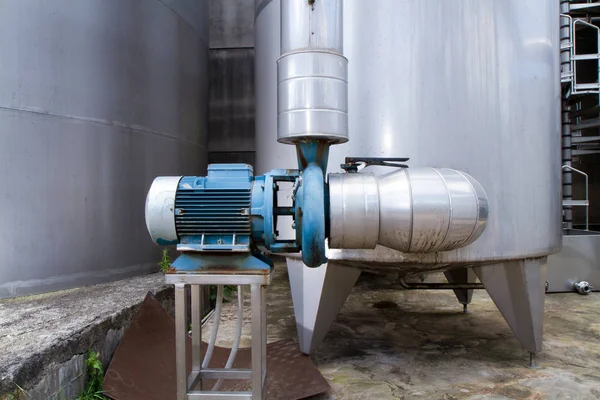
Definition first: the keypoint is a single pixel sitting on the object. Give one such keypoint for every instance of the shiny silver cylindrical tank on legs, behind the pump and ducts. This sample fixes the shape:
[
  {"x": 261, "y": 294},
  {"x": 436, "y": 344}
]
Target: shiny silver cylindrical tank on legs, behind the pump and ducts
[{"x": 471, "y": 85}]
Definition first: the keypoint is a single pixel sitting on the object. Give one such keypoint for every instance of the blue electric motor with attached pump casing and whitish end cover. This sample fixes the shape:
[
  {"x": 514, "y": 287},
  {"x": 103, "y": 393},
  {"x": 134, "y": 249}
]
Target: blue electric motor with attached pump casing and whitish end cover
[{"x": 231, "y": 210}]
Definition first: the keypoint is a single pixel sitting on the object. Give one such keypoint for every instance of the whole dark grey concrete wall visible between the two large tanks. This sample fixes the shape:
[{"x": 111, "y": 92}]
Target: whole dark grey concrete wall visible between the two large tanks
[{"x": 231, "y": 83}]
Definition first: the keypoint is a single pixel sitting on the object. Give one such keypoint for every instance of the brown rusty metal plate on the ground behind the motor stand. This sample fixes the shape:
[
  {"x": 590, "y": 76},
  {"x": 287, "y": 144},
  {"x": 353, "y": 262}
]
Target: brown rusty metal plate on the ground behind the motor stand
[{"x": 143, "y": 367}]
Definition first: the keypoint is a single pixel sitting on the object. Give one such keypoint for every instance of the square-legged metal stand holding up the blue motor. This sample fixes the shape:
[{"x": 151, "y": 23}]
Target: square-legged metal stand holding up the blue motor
[{"x": 258, "y": 373}]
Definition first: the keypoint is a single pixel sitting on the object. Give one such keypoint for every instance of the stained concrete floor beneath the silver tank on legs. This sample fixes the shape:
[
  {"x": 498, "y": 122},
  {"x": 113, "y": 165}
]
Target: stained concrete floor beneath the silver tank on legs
[{"x": 391, "y": 344}]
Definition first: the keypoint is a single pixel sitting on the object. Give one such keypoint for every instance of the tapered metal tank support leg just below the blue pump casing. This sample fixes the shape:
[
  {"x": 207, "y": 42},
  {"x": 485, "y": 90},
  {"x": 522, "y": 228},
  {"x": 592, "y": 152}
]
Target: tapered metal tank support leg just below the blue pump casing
[{"x": 318, "y": 295}]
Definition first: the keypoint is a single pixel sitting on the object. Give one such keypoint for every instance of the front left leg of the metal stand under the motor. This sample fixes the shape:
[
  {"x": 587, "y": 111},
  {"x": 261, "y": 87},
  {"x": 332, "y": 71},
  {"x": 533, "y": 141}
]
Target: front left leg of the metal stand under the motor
[{"x": 180, "y": 336}]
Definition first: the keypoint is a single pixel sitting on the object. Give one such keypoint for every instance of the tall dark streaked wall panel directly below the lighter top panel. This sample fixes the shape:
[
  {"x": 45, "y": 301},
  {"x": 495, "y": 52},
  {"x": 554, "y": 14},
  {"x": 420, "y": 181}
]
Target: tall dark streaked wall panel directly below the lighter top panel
[{"x": 231, "y": 103}]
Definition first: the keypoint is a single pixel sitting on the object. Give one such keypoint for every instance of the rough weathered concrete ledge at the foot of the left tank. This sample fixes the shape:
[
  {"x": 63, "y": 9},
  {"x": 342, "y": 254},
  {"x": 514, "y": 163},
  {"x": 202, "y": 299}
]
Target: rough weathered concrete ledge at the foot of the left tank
[{"x": 44, "y": 339}]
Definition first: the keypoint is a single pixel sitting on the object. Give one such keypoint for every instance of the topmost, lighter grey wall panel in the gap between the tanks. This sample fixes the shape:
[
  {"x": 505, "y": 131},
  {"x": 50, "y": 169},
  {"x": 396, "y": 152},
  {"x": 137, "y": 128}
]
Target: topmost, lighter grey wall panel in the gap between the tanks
[{"x": 231, "y": 23}]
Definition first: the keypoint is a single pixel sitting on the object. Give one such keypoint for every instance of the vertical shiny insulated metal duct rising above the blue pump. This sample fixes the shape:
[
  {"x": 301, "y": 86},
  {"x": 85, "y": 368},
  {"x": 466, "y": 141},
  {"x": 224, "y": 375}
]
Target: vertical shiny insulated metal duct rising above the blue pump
[{"x": 312, "y": 73}]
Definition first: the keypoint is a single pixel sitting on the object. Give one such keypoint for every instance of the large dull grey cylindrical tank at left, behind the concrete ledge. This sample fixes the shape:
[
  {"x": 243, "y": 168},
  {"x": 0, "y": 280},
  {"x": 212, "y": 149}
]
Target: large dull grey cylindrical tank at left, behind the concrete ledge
[{"x": 97, "y": 98}]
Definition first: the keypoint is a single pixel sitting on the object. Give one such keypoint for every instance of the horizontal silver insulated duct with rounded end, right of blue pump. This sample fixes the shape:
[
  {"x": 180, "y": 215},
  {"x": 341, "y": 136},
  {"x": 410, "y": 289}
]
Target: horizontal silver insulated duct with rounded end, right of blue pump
[{"x": 414, "y": 210}]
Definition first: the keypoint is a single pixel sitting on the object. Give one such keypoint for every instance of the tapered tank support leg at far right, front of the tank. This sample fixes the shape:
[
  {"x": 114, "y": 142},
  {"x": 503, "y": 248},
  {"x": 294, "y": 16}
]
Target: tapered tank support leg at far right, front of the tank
[{"x": 517, "y": 288}]
